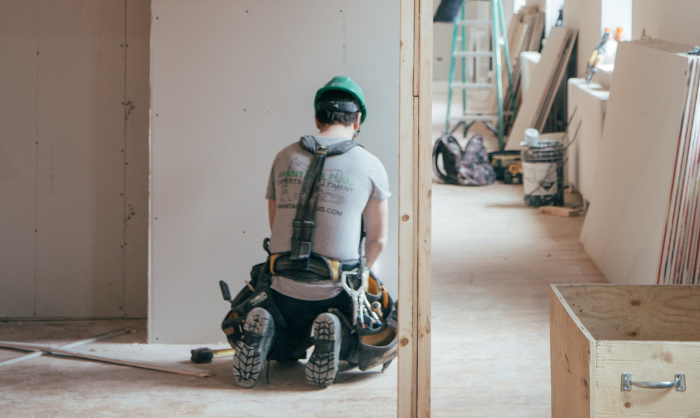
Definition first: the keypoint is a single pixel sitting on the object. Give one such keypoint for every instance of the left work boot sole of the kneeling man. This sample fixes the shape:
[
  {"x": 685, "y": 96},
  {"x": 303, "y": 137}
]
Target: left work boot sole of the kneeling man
[{"x": 252, "y": 348}]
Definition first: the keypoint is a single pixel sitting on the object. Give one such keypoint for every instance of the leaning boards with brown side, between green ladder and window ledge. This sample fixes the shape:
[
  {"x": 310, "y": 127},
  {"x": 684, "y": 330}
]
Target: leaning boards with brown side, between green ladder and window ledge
[{"x": 544, "y": 85}]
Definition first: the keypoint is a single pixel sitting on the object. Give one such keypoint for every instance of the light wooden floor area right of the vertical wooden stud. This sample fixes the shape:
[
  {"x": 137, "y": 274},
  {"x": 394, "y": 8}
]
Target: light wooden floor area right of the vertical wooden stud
[{"x": 493, "y": 259}]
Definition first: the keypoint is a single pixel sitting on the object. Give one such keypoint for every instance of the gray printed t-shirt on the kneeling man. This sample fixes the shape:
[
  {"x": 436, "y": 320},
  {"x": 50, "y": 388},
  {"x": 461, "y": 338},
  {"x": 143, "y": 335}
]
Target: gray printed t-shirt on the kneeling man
[{"x": 348, "y": 182}]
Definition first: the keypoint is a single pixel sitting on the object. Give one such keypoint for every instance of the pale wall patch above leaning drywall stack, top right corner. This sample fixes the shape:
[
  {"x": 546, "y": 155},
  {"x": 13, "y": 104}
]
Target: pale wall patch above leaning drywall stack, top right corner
[{"x": 670, "y": 20}]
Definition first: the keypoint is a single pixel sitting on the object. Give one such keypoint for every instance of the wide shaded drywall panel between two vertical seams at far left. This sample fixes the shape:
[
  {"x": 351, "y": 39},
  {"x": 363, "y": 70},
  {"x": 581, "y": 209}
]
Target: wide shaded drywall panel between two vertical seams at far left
[{"x": 80, "y": 269}]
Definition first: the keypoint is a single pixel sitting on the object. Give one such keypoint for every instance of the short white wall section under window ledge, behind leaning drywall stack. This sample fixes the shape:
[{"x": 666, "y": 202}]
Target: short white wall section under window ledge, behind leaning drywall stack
[{"x": 586, "y": 107}]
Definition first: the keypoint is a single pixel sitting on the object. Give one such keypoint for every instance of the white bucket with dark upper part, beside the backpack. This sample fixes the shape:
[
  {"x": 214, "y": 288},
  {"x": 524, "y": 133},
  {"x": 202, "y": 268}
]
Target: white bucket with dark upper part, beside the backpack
[{"x": 543, "y": 173}]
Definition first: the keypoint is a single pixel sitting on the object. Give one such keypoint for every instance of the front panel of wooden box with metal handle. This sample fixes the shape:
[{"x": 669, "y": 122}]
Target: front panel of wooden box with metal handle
[{"x": 647, "y": 361}]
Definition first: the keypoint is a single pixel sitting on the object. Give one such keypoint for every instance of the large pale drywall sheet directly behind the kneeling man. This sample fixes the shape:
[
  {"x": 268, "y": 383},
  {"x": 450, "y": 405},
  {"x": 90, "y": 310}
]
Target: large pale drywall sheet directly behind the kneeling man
[{"x": 232, "y": 83}]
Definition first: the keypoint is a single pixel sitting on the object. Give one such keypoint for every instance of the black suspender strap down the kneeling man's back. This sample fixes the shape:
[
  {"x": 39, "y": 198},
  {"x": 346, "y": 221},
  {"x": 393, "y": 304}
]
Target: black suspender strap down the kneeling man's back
[{"x": 305, "y": 219}]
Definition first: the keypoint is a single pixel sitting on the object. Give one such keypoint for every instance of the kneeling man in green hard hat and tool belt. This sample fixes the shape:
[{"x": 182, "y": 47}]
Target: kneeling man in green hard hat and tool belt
[{"x": 324, "y": 193}]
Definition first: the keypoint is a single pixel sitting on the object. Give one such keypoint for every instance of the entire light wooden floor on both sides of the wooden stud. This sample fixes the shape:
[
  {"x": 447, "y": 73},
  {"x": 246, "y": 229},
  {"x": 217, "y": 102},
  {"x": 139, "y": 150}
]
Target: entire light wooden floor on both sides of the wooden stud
[{"x": 493, "y": 259}]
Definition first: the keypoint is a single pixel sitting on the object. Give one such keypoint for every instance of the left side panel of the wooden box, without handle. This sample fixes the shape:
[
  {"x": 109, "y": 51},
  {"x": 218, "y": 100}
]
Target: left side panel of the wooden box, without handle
[{"x": 572, "y": 365}]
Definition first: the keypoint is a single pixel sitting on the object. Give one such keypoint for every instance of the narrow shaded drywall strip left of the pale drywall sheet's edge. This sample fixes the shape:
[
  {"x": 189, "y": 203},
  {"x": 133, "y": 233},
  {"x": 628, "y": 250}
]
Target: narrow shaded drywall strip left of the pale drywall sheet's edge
[{"x": 136, "y": 121}]
